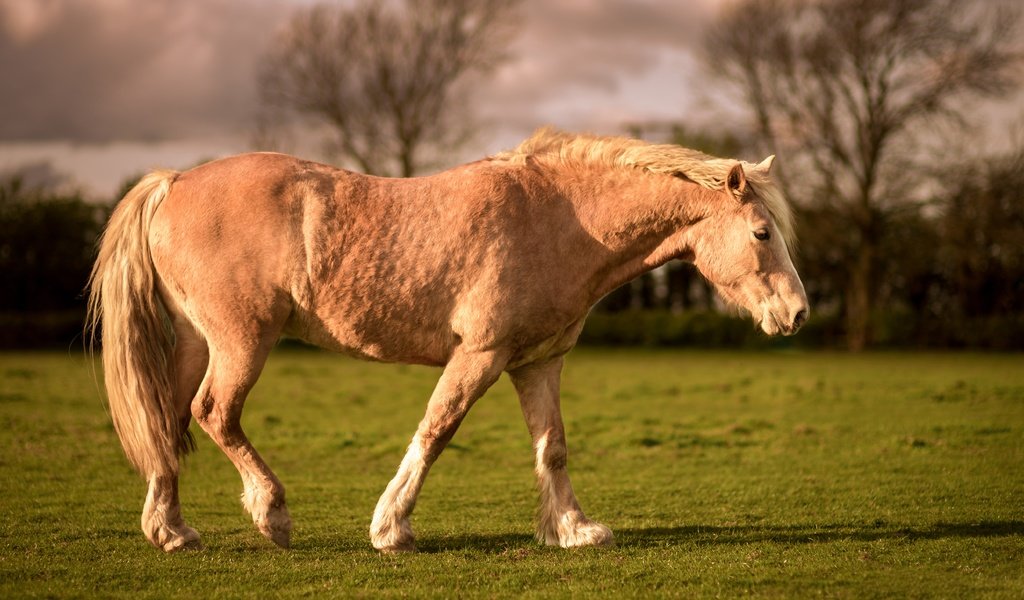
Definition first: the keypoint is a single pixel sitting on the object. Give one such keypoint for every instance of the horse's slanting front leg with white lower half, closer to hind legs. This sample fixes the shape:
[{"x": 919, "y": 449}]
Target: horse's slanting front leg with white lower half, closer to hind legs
[{"x": 465, "y": 379}]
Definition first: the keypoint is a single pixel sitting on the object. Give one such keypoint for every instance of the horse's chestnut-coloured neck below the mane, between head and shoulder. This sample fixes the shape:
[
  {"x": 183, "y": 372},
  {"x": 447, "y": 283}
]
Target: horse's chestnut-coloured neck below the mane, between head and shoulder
[{"x": 641, "y": 219}]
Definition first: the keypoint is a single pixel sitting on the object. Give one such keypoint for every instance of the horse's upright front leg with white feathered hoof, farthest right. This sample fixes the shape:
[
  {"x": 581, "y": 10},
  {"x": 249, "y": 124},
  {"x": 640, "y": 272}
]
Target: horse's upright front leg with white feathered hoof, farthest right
[{"x": 562, "y": 522}]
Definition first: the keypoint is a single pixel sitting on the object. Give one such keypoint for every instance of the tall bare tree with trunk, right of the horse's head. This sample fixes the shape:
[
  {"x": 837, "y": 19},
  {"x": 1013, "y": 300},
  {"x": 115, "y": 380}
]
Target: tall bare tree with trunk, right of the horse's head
[{"x": 847, "y": 90}]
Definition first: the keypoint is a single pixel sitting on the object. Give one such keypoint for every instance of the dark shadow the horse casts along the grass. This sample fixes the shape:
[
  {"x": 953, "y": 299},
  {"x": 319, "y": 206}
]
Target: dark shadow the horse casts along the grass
[{"x": 709, "y": 536}]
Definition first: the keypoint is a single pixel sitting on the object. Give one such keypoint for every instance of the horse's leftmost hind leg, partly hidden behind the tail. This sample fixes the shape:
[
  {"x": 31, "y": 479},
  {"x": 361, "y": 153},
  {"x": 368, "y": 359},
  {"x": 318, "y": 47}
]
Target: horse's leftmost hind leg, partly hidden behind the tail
[{"x": 162, "y": 521}]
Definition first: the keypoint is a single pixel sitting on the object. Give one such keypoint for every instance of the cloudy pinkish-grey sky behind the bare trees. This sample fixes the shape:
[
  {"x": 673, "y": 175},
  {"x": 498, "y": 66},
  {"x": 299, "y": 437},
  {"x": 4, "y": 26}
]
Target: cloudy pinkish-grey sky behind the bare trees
[{"x": 103, "y": 91}]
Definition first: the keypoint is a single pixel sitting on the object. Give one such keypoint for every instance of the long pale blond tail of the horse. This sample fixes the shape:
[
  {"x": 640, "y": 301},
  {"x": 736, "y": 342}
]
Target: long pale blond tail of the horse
[{"x": 138, "y": 341}]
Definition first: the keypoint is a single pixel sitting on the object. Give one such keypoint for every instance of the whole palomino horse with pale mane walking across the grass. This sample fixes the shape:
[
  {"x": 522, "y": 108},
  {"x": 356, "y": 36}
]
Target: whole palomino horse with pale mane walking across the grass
[{"x": 488, "y": 268}]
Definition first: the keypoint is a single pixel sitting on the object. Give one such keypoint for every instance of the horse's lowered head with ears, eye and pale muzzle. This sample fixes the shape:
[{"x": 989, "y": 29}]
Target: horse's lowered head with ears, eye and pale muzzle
[{"x": 743, "y": 249}]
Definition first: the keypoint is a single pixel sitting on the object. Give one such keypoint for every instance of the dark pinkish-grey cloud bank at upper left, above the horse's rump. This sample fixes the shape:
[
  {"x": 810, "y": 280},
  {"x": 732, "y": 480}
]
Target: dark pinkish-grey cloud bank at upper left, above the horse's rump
[{"x": 105, "y": 70}]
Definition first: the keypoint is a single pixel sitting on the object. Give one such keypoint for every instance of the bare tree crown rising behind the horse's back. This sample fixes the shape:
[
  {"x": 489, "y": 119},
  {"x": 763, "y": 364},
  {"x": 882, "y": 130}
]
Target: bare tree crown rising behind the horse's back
[{"x": 391, "y": 80}]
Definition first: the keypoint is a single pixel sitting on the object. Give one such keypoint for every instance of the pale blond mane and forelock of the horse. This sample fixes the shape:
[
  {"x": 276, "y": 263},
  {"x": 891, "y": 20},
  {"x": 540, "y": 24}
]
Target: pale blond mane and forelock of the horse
[{"x": 551, "y": 145}]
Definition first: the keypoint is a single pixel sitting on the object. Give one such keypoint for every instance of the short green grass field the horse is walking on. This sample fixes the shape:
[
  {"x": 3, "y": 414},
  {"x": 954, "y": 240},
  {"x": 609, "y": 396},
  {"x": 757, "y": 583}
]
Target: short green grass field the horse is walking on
[{"x": 722, "y": 475}]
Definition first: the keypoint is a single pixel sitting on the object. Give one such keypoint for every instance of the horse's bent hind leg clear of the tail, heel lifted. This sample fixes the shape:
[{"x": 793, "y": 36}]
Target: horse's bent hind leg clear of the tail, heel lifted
[{"x": 218, "y": 408}]
